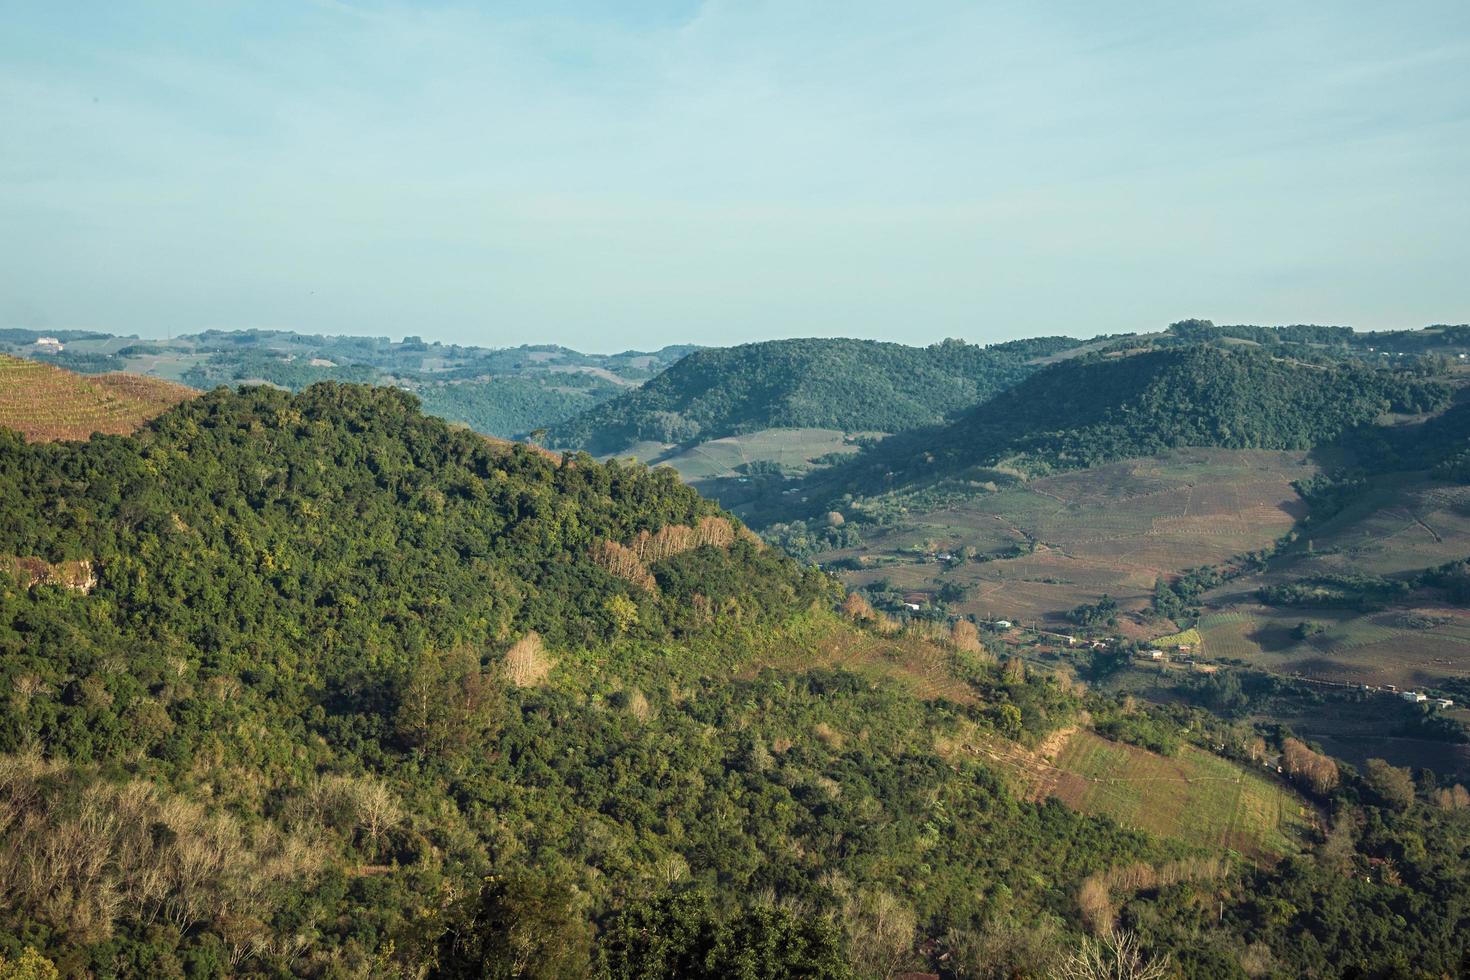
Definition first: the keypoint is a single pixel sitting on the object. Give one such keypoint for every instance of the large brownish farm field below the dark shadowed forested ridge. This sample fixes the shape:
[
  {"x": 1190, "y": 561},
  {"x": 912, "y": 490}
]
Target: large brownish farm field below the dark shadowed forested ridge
[{"x": 1112, "y": 530}]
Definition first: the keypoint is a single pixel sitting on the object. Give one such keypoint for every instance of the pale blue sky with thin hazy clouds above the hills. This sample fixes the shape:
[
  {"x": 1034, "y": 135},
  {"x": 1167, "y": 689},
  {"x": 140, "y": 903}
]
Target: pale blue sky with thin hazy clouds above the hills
[{"x": 627, "y": 176}]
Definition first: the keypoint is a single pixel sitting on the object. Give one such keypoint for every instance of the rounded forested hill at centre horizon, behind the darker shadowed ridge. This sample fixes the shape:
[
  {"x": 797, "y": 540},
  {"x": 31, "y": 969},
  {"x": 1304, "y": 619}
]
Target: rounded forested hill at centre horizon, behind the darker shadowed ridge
[{"x": 828, "y": 384}]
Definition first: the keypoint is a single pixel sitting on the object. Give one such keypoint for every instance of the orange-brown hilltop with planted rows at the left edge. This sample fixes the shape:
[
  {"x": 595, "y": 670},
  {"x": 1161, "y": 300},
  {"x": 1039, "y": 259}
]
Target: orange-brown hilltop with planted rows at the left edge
[{"x": 46, "y": 403}]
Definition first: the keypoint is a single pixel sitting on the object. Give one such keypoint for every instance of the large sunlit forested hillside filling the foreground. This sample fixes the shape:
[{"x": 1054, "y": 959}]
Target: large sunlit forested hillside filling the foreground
[{"x": 315, "y": 685}]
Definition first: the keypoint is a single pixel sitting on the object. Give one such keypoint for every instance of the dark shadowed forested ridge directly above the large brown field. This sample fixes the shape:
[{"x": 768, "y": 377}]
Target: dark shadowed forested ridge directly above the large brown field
[{"x": 1106, "y": 408}]
